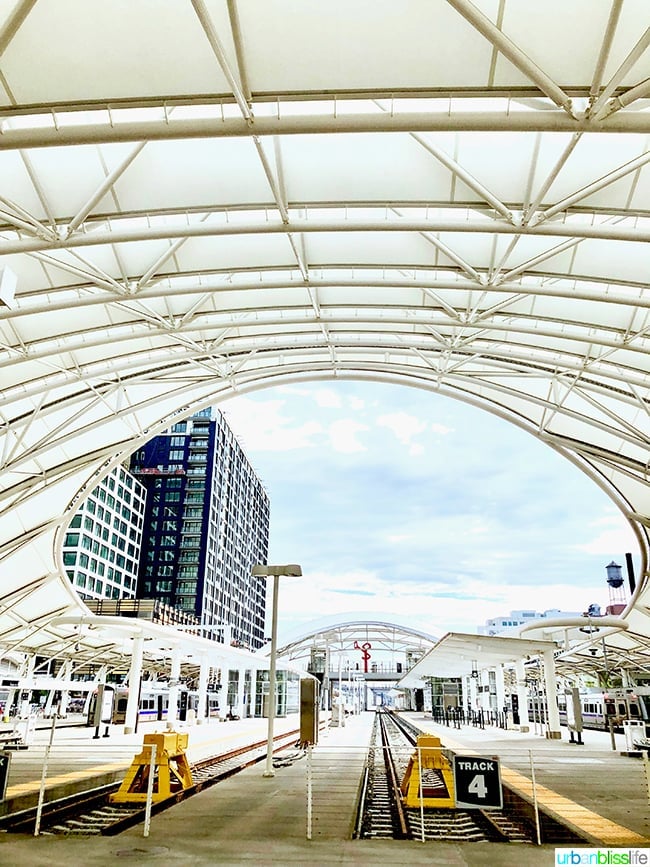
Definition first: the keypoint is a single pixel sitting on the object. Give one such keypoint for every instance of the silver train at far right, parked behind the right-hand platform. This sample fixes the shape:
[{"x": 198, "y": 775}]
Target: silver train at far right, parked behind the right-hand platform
[{"x": 600, "y": 707}]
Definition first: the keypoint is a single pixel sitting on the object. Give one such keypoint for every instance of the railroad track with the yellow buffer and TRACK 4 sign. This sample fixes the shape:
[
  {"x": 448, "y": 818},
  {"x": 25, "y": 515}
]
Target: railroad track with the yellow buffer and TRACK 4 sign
[{"x": 382, "y": 814}]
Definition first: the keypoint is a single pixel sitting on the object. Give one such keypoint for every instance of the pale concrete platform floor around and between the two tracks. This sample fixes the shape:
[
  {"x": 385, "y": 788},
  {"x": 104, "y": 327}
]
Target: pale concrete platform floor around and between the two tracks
[{"x": 252, "y": 819}]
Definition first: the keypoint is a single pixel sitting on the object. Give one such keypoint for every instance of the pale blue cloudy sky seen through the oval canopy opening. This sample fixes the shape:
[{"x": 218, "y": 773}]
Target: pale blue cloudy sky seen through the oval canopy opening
[{"x": 405, "y": 503}]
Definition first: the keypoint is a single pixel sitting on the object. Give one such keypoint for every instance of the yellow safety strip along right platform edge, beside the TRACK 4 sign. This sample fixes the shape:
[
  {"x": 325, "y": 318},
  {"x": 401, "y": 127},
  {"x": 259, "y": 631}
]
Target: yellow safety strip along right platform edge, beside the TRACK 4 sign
[{"x": 597, "y": 827}]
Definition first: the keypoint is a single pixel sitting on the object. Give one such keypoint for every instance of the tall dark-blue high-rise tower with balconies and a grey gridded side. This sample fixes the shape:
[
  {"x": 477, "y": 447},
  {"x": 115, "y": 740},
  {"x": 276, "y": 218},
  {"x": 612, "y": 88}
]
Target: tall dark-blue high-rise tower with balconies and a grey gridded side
[{"x": 206, "y": 524}]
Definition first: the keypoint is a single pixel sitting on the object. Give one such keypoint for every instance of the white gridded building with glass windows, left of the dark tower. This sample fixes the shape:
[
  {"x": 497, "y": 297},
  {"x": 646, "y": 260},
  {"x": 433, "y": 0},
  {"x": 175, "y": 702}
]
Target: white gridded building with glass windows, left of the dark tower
[{"x": 101, "y": 548}]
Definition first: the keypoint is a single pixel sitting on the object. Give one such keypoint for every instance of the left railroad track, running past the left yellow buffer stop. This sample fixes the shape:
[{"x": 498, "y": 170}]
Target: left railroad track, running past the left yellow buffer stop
[{"x": 90, "y": 813}]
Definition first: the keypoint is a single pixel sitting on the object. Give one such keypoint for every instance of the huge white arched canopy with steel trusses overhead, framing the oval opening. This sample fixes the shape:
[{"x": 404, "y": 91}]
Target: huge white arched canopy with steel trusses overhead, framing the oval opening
[{"x": 204, "y": 197}]
